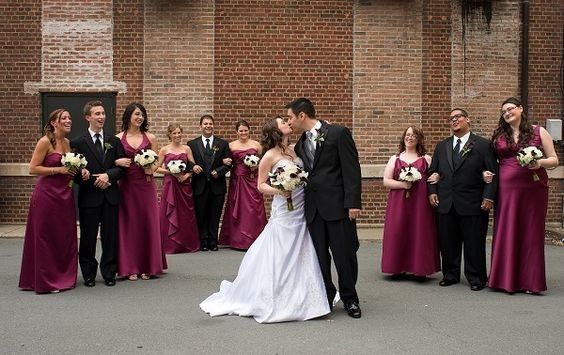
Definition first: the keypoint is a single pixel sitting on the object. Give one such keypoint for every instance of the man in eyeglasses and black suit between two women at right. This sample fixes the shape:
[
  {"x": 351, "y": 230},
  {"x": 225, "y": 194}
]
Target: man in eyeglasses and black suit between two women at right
[{"x": 463, "y": 201}]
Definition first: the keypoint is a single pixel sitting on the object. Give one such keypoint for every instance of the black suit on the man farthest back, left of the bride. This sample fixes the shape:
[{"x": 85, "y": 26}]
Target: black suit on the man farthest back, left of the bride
[{"x": 209, "y": 192}]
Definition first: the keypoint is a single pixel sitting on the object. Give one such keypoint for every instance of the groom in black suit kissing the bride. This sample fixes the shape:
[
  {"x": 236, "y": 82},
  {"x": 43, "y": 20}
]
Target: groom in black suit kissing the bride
[{"x": 332, "y": 198}]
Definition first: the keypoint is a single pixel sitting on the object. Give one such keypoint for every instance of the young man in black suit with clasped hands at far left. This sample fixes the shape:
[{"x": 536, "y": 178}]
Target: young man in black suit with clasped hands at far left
[{"x": 98, "y": 197}]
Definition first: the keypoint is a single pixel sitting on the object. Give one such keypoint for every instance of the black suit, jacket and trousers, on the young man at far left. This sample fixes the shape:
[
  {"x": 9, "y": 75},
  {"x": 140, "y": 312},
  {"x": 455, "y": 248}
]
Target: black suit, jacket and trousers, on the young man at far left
[{"x": 98, "y": 207}]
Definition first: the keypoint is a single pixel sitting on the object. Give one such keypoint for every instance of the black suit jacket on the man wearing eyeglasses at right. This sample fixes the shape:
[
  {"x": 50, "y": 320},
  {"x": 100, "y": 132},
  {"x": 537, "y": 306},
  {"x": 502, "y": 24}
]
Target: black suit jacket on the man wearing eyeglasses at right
[{"x": 463, "y": 187}]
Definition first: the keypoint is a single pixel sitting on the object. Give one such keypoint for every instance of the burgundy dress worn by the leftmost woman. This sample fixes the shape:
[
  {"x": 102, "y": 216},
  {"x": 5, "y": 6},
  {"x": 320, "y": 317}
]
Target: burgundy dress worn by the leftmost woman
[{"x": 50, "y": 254}]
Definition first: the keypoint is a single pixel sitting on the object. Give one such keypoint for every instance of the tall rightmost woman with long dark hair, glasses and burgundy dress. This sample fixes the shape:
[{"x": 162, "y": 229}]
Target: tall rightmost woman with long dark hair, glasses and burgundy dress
[{"x": 518, "y": 248}]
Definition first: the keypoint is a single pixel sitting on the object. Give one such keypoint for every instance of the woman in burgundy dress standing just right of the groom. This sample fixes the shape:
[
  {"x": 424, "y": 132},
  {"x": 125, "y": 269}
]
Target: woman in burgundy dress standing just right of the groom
[{"x": 410, "y": 242}]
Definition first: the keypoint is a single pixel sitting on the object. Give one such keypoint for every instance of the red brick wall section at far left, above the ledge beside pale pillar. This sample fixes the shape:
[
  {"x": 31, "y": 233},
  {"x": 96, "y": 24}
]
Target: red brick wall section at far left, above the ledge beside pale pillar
[{"x": 20, "y": 50}]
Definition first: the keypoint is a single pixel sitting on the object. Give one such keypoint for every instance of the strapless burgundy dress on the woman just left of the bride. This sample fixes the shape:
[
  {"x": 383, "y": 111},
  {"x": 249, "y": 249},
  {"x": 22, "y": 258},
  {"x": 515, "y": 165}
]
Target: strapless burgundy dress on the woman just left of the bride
[{"x": 244, "y": 217}]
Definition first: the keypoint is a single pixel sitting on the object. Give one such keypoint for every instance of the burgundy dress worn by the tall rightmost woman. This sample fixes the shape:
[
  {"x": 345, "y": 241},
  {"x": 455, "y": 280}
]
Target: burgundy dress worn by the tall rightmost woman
[{"x": 520, "y": 212}]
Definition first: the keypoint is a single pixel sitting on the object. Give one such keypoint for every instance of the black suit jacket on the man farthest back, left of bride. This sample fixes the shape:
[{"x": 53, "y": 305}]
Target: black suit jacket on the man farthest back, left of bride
[{"x": 221, "y": 150}]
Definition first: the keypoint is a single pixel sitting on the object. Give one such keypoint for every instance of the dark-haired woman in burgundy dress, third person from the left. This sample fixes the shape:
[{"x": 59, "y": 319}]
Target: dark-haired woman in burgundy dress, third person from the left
[{"x": 140, "y": 250}]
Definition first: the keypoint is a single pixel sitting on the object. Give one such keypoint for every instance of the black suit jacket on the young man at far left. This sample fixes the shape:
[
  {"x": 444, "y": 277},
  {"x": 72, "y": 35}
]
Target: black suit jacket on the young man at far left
[{"x": 89, "y": 195}]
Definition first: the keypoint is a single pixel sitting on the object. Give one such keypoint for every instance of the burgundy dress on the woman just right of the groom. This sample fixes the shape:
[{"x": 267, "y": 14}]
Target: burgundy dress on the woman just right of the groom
[{"x": 410, "y": 242}]
